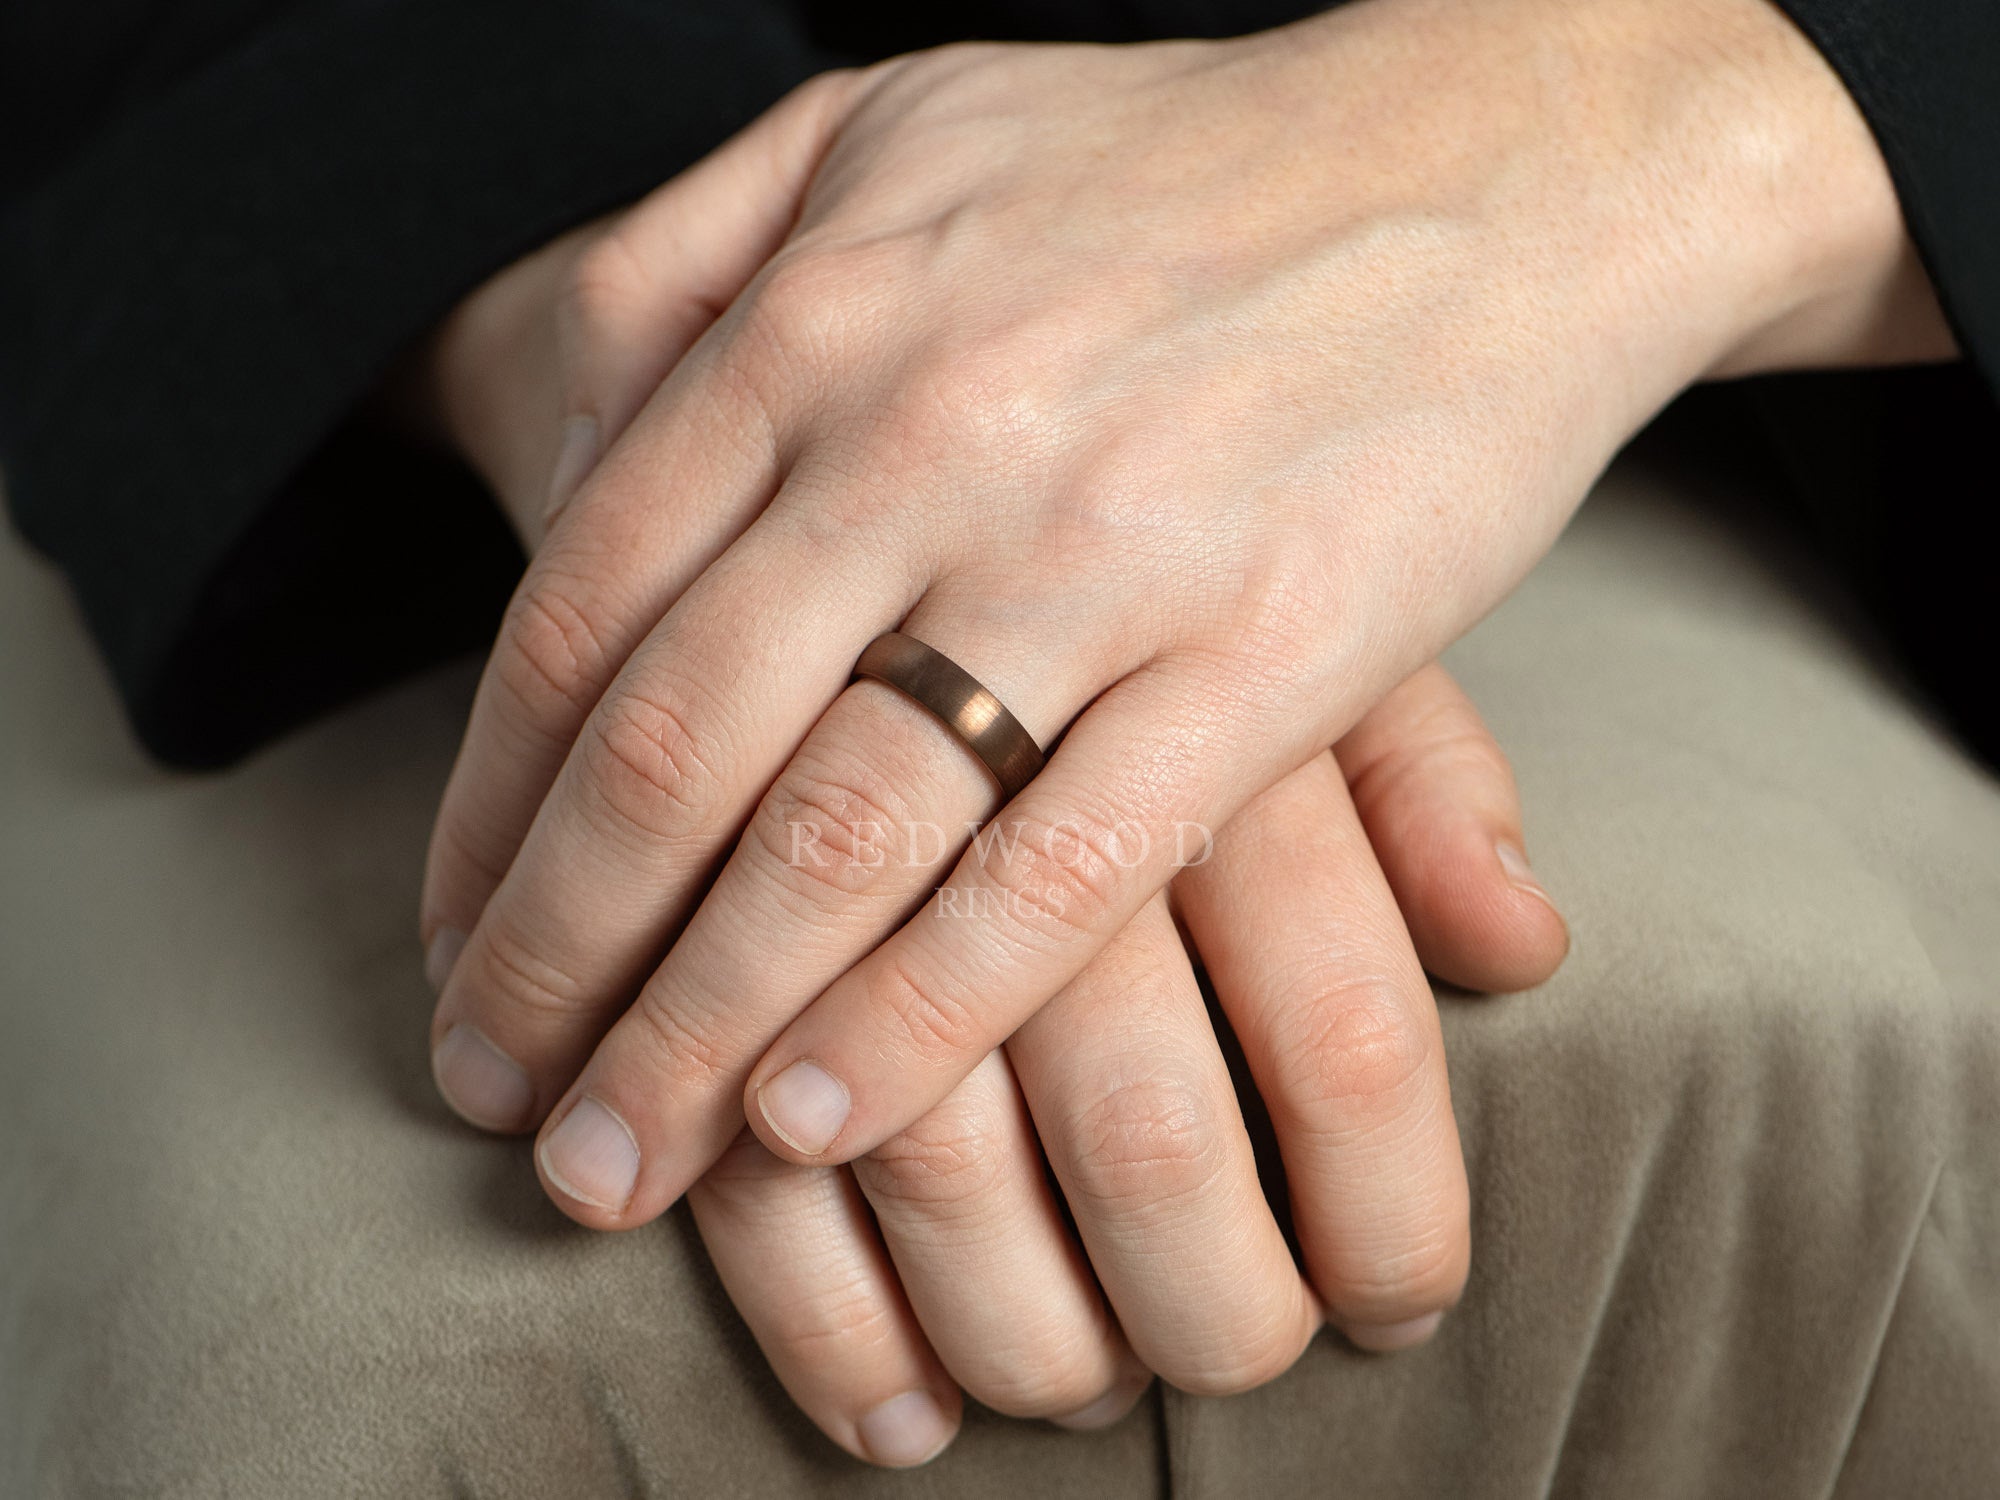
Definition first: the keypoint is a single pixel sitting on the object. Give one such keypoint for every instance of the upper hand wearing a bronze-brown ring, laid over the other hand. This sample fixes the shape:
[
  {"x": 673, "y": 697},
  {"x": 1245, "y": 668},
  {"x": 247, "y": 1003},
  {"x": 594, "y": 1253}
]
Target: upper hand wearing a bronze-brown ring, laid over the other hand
[{"x": 1209, "y": 433}]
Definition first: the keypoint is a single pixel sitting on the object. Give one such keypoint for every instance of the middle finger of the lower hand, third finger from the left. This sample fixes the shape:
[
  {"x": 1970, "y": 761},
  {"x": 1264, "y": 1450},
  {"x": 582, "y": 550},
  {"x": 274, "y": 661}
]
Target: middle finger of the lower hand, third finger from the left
[{"x": 1137, "y": 1113}]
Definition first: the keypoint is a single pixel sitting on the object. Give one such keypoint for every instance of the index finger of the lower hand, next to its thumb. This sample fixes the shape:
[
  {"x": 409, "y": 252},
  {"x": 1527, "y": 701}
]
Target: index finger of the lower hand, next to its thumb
[{"x": 1317, "y": 975}]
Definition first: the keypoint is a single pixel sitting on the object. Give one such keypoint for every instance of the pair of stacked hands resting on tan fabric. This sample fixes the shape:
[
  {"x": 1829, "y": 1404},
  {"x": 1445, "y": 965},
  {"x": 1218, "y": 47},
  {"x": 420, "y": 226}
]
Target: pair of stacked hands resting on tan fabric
[{"x": 1193, "y": 397}]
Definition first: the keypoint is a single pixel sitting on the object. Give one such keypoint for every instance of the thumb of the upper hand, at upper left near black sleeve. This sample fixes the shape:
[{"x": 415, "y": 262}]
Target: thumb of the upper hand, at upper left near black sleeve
[{"x": 665, "y": 271}]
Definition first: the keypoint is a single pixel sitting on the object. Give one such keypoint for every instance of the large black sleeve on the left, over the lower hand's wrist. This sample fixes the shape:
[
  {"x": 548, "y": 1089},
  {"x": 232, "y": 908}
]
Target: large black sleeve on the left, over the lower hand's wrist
[{"x": 221, "y": 227}]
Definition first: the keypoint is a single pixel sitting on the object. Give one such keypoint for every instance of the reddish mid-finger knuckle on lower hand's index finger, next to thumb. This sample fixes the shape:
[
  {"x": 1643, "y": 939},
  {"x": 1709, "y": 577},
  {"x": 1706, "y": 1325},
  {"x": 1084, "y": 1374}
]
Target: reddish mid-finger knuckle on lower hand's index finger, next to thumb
[{"x": 1357, "y": 1043}]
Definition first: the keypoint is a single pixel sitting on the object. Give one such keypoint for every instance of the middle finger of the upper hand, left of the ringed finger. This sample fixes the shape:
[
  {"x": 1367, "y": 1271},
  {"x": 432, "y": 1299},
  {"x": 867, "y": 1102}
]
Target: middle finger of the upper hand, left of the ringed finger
[{"x": 657, "y": 787}]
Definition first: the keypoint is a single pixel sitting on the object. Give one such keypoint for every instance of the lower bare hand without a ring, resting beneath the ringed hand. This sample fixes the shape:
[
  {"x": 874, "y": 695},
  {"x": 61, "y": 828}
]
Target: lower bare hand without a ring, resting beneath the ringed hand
[{"x": 947, "y": 1261}]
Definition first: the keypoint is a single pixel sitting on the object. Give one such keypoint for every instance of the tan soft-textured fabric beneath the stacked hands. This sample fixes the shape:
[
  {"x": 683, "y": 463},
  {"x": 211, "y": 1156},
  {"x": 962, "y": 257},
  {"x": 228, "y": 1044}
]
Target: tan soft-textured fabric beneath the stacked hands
[{"x": 1737, "y": 1171}]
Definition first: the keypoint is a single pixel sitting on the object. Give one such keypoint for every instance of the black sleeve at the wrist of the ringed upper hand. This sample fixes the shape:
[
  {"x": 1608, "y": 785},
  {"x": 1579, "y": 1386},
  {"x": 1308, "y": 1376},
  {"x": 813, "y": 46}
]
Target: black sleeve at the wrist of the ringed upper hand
[{"x": 1897, "y": 473}]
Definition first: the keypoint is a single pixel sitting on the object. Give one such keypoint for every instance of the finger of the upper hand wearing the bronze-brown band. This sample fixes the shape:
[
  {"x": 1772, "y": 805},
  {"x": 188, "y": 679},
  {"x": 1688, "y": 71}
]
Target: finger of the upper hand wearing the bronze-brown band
[{"x": 849, "y": 839}]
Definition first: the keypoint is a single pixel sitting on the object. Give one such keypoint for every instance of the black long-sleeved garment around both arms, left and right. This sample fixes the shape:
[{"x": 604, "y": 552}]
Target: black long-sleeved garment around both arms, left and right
[{"x": 221, "y": 221}]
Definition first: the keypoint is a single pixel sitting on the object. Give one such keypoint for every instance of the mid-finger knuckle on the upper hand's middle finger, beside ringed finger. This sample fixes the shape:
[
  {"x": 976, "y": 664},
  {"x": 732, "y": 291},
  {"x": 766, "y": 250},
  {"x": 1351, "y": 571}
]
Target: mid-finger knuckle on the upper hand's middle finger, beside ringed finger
[{"x": 649, "y": 767}]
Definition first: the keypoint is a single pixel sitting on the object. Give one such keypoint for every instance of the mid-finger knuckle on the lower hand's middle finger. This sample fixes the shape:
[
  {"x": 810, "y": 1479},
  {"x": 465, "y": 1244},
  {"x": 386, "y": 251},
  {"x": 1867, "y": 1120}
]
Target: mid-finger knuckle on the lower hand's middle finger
[{"x": 1147, "y": 1145}]
